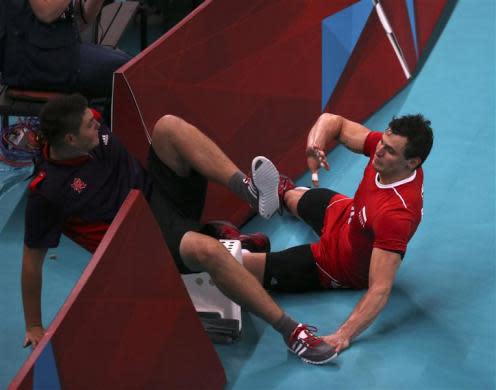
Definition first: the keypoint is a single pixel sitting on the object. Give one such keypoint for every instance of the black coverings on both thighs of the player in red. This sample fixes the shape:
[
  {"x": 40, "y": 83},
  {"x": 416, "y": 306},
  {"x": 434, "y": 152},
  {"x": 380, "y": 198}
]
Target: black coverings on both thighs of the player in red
[{"x": 295, "y": 269}]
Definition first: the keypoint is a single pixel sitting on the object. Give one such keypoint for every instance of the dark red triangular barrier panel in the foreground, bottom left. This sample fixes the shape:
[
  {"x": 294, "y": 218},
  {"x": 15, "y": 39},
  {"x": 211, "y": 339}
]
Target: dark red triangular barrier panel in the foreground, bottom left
[{"x": 129, "y": 318}]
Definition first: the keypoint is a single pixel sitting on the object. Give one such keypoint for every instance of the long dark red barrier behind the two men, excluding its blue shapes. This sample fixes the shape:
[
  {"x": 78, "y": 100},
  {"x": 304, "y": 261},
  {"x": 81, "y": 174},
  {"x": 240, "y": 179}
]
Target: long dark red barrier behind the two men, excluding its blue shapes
[{"x": 248, "y": 74}]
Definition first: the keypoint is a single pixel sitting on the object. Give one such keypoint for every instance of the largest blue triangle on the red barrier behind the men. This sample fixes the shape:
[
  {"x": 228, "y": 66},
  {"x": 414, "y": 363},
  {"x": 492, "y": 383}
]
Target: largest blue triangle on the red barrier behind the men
[{"x": 340, "y": 33}]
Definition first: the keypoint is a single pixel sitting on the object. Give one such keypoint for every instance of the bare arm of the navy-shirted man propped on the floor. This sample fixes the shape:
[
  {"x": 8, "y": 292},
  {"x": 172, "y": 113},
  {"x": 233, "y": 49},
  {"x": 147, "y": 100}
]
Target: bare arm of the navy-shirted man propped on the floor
[{"x": 31, "y": 281}]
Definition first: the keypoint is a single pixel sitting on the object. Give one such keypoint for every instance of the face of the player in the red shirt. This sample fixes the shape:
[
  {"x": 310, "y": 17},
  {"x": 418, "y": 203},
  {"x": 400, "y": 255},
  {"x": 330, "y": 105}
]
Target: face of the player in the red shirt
[{"x": 389, "y": 159}]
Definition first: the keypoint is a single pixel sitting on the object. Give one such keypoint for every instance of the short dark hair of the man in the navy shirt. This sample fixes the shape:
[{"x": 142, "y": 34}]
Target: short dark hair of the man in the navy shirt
[{"x": 61, "y": 116}]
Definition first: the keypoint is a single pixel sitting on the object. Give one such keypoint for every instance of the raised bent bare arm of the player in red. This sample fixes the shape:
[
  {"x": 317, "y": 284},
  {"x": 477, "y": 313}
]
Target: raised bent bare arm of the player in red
[{"x": 329, "y": 128}]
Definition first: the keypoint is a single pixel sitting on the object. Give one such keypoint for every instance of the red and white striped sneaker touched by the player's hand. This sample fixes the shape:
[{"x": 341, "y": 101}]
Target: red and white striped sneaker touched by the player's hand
[{"x": 308, "y": 347}]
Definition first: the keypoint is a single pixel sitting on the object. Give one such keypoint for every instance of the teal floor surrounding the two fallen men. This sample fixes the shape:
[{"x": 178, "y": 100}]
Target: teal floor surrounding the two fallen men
[{"x": 438, "y": 330}]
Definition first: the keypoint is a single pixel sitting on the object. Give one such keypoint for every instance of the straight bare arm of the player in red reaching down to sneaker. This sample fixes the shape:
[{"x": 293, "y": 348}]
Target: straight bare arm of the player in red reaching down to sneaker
[{"x": 383, "y": 267}]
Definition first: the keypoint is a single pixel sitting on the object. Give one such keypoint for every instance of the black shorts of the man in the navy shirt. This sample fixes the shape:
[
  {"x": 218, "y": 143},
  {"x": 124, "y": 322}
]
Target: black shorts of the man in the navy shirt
[{"x": 177, "y": 203}]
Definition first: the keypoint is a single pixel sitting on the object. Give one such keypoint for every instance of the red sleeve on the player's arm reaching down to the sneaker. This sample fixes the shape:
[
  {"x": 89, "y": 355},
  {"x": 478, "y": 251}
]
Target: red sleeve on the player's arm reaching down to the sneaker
[{"x": 393, "y": 231}]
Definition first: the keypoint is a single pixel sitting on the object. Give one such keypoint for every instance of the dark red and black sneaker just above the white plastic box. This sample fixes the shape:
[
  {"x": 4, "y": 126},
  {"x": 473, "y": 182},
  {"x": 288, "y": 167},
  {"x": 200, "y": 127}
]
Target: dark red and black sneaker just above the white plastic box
[{"x": 253, "y": 242}]
